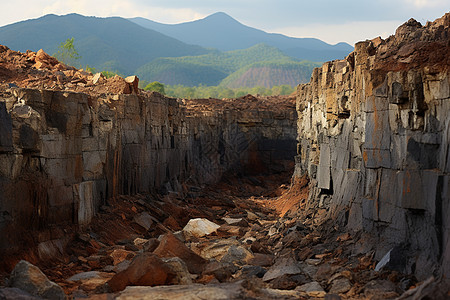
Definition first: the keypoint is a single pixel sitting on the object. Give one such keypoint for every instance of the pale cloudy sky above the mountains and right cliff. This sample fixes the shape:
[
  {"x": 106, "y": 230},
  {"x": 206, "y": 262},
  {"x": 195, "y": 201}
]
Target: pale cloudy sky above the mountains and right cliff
[{"x": 332, "y": 21}]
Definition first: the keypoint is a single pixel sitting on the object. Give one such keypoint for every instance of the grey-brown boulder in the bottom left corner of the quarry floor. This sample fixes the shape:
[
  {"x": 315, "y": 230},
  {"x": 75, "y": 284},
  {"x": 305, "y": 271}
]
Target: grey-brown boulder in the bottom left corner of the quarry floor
[{"x": 29, "y": 278}]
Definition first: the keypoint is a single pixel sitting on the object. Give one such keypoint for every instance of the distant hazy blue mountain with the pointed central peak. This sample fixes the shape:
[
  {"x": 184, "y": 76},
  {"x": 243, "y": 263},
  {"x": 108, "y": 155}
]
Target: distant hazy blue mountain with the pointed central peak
[{"x": 222, "y": 32}]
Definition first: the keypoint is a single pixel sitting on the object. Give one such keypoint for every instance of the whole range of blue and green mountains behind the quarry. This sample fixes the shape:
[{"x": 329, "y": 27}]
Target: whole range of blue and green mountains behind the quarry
[{"x": 215, "y": 50}]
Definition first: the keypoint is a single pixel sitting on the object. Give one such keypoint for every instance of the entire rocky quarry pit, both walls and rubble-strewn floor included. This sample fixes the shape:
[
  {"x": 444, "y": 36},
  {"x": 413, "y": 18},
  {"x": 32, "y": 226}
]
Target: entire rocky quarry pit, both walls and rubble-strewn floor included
[{"x": 338, "y": 192}]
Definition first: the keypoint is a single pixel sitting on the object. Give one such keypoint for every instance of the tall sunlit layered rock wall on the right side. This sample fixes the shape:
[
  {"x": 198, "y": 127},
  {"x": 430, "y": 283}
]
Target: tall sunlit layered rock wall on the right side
[{"x": 374, "y": 135}]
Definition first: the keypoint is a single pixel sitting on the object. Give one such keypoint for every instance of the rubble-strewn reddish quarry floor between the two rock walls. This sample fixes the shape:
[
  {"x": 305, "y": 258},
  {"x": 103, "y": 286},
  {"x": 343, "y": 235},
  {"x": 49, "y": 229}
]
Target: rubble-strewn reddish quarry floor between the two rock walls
[{"x": 247, "y": 237}]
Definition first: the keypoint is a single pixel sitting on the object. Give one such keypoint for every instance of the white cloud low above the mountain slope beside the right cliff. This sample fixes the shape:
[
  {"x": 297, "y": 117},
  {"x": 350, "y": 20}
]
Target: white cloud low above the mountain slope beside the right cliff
[{"x": 351, "y": 32}]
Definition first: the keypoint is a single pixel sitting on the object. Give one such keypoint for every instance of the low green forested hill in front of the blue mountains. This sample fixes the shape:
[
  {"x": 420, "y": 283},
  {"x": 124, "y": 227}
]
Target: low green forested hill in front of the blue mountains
[{"x": 230, "y": 68}]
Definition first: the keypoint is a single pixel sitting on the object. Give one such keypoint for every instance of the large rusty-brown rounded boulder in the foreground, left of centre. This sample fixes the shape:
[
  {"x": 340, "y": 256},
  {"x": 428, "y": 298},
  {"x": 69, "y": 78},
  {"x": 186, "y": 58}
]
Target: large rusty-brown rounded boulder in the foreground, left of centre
[{"x": 146, "y": 269}]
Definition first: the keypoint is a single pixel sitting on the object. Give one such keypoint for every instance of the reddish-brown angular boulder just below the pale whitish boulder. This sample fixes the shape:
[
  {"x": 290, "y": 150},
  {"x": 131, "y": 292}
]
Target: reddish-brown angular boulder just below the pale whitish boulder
[{"x": 170, "y": 246}]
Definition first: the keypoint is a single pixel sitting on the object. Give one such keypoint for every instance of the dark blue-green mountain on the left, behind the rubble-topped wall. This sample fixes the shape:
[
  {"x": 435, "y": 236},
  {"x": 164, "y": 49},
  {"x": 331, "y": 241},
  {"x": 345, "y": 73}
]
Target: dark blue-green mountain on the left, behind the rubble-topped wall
[{"x": 105, "y": 43}]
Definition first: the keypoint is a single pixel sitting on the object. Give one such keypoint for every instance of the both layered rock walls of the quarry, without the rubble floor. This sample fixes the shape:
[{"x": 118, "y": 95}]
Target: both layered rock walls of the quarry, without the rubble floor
[{"x": 373, "y": 134}]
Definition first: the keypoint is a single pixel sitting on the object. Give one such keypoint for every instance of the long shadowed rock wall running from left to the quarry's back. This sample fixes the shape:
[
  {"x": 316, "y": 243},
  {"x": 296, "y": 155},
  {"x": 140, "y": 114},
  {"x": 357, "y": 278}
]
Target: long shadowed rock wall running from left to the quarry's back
[{"x": 62, "y": 155}]
